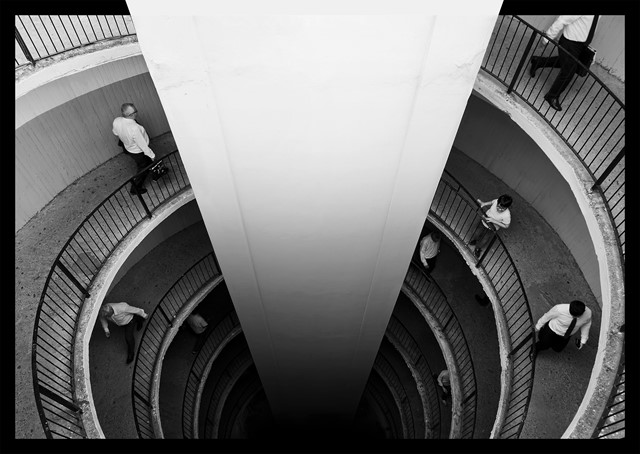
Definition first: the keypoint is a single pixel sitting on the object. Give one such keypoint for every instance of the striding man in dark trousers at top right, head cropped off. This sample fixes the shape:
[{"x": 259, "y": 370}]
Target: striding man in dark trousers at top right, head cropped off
[{"x": 575, "y": 31}]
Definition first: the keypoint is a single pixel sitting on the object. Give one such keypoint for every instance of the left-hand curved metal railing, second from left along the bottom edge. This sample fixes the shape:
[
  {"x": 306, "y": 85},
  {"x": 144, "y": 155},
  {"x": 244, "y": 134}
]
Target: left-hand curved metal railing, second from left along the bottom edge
[{"x": 158, "y": 325}]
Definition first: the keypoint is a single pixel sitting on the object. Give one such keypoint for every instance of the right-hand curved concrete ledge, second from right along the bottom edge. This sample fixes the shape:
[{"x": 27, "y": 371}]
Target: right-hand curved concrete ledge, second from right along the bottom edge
[{"x": 504, "y": 339}]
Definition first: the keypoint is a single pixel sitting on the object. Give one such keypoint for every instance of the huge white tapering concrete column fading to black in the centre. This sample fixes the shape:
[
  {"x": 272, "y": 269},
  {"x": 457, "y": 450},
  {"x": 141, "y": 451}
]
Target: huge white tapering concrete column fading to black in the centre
[{"x": 314, "y": 135}]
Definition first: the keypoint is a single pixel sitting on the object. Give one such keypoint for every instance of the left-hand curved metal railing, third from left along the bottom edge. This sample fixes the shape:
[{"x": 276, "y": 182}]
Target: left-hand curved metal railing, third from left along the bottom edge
[{"x": 216, "y": 337}]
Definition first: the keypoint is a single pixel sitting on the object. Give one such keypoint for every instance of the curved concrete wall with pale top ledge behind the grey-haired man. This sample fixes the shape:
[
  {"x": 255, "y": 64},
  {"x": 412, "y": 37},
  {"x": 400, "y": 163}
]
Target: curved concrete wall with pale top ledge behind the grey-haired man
[{"x": 63, "y": 120}]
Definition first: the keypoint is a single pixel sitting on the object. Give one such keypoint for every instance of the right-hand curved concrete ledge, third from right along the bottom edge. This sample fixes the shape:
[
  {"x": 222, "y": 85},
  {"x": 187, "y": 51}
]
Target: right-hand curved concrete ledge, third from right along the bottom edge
[{"x": 449, "y": 359}]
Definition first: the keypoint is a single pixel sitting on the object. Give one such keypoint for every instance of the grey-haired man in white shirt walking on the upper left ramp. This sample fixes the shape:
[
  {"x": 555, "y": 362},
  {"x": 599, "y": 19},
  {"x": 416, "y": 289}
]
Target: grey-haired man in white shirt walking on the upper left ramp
[{"x": 135, "y": 143}]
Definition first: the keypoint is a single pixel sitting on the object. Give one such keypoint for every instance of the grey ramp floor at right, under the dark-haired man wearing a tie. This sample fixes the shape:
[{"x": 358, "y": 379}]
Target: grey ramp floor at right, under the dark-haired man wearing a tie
[{"x": 550, "y": 276}]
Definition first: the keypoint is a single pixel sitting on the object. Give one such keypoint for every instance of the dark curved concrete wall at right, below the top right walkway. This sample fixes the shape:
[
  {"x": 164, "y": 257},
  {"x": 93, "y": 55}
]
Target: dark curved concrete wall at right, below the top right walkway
[{"x": 489, "y": 136}]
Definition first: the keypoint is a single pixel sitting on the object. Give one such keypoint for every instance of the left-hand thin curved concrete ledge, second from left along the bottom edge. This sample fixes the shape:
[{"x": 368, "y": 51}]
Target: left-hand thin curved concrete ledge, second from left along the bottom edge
[{"x": 176, "y": 323}]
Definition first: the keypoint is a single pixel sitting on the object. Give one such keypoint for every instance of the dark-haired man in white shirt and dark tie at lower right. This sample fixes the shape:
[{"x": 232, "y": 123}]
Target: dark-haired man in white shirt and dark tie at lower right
[{"x": 556, "y": 327}]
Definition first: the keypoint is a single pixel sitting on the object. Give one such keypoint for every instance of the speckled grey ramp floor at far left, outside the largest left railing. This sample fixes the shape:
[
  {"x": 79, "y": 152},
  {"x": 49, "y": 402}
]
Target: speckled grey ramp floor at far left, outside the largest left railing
[{"x": 36, "y": 246}]
